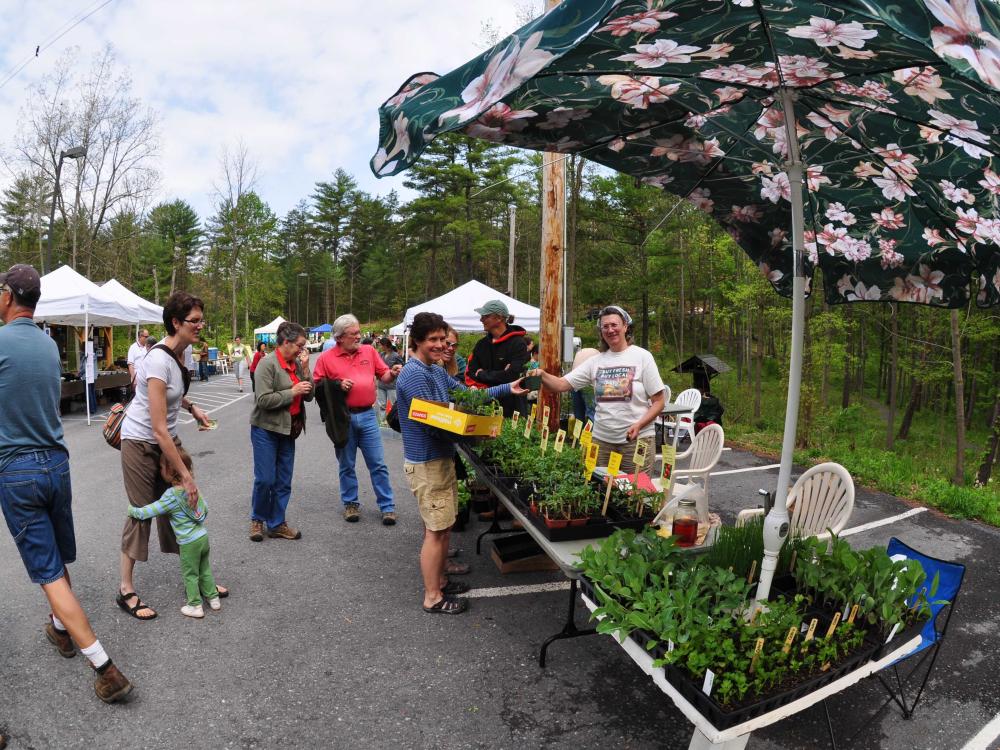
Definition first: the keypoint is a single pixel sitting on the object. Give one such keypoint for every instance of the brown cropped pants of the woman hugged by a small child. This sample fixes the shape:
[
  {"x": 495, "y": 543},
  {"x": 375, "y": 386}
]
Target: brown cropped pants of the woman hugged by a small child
[{"x": 144, "y": 485}]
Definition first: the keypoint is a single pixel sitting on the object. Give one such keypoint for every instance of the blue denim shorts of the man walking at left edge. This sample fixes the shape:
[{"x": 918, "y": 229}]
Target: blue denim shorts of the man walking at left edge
[{"x": 36, "y": 499}]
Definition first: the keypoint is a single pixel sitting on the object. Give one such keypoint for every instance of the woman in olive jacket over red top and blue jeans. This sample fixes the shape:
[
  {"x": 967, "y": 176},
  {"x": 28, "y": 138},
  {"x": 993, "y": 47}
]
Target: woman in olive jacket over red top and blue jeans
[{"x": 283, "y": 384}]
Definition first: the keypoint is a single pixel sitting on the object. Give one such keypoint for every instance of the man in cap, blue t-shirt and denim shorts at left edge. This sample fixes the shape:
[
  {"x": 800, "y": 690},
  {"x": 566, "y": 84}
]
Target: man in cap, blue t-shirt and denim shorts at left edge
[{"x": 35, "y": 493}]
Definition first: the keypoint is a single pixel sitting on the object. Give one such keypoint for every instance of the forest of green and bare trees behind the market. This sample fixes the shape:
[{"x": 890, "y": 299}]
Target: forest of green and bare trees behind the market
[{"x": 905, "y": 396}]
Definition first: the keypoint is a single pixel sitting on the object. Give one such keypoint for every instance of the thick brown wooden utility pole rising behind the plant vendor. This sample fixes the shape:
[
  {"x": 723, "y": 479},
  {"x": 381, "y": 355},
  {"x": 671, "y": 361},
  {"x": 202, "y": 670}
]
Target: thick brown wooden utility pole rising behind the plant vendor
[{"x": 550, "y": 291}]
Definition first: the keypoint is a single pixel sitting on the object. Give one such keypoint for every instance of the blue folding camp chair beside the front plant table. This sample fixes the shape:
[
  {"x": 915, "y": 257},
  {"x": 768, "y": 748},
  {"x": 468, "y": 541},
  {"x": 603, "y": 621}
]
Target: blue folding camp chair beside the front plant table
[{"x": 949, "y": 582}]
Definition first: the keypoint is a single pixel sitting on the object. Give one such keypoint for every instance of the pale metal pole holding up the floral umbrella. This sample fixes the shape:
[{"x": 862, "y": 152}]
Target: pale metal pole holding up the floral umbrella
[{"x": 776, "y": 522}]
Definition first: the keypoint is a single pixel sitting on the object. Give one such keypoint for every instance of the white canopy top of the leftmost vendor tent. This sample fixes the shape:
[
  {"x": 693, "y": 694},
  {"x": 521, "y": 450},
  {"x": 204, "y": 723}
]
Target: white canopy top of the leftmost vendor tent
[{"x": 71, "y": 299}]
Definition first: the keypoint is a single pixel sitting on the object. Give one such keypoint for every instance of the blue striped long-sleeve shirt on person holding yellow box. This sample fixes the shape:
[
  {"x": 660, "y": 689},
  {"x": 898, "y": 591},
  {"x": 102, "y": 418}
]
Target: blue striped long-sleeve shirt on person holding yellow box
[{"x": 431, "y": 383}]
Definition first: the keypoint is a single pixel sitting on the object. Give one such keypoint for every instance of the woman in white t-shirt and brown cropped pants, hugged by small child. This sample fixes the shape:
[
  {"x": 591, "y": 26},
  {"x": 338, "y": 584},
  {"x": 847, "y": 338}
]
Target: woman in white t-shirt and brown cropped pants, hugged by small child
[{"x": 149, "y": 430}]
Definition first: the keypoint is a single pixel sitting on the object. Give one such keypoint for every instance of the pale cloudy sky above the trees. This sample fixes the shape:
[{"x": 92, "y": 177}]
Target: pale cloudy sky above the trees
[{"x": 299, "y": 81}]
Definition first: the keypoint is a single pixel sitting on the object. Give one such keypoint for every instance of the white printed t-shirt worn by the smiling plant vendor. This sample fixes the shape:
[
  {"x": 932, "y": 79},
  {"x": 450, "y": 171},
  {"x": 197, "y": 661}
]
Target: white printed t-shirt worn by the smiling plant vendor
[{"x": 623, "y": 384}]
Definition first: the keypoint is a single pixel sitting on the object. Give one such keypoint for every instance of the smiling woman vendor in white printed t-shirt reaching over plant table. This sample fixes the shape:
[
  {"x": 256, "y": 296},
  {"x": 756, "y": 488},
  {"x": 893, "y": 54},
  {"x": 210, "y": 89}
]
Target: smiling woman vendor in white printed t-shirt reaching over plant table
[{"x": 628, "y": 391}]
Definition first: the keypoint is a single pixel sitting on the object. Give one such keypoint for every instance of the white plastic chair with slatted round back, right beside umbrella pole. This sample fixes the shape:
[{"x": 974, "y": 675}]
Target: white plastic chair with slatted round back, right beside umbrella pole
[{"x": 821, "y": 501}]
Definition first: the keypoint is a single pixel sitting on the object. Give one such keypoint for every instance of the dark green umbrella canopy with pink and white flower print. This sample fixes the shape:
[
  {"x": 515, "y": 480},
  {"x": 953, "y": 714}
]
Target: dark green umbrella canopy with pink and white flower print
[{"x": 896, "y": 111}]
